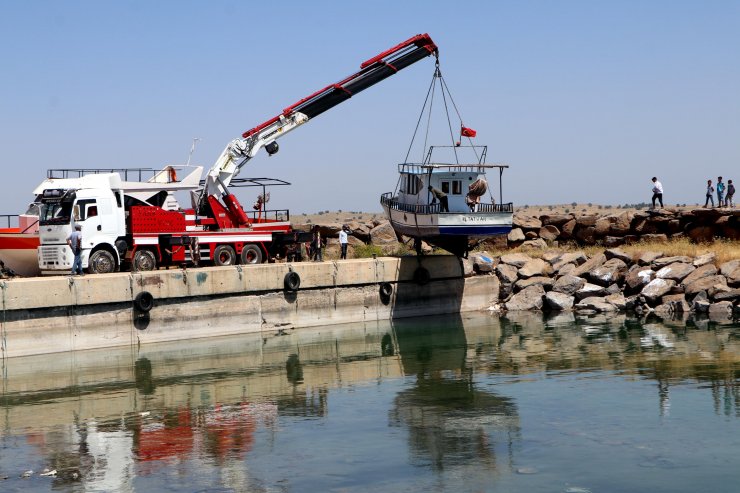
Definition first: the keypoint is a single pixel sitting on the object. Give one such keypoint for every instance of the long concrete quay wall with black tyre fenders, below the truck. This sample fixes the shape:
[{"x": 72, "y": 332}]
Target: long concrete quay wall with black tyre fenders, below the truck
[{"x": 58, "y": 314}]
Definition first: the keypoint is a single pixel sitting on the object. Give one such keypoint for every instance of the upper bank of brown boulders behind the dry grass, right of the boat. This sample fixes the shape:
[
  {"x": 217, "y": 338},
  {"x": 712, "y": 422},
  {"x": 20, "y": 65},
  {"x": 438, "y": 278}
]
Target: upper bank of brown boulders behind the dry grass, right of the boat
[{"x": 625, "y": 227}]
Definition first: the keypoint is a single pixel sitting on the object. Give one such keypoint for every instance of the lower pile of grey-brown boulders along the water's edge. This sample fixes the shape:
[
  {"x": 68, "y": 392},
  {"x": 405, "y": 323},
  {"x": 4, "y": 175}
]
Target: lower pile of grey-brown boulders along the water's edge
[{"x": 614, "y": 281}]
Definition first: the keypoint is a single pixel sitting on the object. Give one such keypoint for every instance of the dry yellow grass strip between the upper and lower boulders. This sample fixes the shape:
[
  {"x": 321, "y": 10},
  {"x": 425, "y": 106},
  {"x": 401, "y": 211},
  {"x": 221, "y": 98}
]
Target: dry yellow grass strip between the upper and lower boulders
[{"x": 725, "y": 250}]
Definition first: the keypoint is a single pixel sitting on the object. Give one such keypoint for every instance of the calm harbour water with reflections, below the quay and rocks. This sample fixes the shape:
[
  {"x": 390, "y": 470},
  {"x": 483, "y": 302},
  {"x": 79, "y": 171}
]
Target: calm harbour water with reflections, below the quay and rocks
[{"x": 444, "y": 404}]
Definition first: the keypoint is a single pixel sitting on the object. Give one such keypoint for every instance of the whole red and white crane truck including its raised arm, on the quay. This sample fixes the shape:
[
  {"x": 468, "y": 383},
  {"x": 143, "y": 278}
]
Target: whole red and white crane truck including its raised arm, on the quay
[{"x": 134, "y": 232}]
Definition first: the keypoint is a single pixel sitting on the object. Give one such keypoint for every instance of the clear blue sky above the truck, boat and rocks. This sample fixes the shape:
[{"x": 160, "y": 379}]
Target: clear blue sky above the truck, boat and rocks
[{"x": 586, "y": 100}]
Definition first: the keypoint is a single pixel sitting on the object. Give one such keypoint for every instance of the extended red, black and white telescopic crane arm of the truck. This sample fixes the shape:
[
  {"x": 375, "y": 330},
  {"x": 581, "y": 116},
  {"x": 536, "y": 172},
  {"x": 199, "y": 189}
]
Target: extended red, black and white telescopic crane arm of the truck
[{"x": 239, "y": 151}]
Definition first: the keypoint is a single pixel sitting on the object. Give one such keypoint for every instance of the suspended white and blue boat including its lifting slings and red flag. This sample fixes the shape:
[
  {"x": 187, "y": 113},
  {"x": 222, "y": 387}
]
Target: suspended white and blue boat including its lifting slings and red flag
[{"x": 447, "y": 201}]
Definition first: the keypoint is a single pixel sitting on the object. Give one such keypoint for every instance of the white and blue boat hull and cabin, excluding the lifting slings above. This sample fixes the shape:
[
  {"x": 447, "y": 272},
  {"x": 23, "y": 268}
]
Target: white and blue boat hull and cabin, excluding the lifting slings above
[{"x": 460, "y": 216}]
